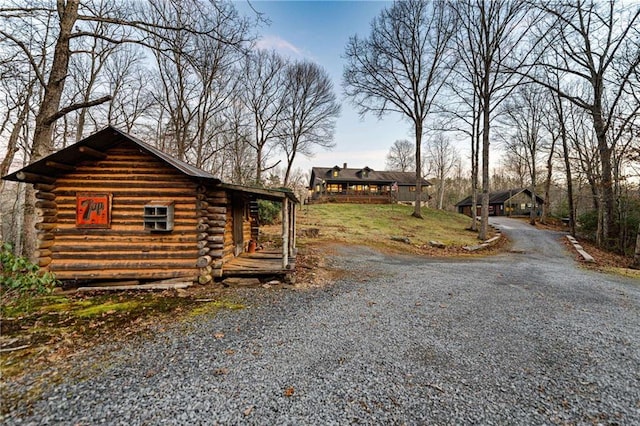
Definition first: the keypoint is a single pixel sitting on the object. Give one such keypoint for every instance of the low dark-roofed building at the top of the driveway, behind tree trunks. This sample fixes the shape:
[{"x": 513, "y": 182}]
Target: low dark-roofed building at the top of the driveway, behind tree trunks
[{"x": 512, "y": 202}]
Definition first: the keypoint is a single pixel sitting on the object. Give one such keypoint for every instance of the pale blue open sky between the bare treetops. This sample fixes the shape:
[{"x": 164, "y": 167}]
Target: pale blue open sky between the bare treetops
[{"x": 319, "y": 31}]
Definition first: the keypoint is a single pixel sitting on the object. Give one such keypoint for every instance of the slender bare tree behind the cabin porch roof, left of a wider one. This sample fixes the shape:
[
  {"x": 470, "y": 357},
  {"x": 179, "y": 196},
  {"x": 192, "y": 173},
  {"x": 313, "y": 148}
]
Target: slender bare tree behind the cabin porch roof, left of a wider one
[{"x": 264, "y": 83}]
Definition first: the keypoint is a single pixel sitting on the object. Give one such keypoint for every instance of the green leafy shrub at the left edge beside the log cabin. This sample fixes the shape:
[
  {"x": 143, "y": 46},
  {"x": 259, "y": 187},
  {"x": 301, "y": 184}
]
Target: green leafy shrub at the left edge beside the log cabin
[{"x": 21, "y": 278}]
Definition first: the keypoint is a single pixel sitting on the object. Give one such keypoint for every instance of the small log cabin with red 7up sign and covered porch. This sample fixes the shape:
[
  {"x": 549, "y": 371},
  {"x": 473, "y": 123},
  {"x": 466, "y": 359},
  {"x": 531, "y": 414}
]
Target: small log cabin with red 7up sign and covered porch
[{"x": 112, "y": 207}]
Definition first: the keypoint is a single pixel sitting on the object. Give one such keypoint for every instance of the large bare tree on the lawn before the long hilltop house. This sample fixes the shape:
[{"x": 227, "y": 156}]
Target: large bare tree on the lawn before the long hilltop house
[{"x": 402, "y": 66}]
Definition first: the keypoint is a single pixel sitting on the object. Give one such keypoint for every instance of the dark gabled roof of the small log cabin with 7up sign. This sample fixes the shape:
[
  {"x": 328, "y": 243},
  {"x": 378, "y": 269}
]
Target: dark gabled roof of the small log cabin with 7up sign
[{"x": 95, "y": 145}]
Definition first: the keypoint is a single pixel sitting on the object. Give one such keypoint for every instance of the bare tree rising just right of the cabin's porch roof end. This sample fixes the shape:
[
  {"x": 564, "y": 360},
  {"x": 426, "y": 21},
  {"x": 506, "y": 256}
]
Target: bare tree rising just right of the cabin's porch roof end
[{"x": 310, "y": 112}]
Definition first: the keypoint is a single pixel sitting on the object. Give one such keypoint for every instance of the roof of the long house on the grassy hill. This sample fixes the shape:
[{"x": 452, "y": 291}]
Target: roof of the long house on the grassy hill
[{"x": 362, "y": 175}]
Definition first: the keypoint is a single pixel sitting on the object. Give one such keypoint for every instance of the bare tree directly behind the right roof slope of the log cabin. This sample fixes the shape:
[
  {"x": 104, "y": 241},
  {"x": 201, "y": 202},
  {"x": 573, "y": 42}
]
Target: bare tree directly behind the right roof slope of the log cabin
[{"x": 196, "y": 72}]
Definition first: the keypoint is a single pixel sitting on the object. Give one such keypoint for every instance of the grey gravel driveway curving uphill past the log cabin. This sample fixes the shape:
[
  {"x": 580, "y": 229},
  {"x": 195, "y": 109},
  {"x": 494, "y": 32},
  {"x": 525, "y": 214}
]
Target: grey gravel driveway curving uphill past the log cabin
[{"x": 521, "y": 338}]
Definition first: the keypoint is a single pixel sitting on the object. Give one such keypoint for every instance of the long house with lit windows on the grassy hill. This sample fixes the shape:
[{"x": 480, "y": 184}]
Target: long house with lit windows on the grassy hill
[{"x": 365, "y": 185}]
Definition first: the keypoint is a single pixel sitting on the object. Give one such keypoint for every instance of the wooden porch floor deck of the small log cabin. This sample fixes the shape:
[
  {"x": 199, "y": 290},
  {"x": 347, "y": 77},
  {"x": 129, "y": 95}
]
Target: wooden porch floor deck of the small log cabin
[{"x": 264, "y": 262}]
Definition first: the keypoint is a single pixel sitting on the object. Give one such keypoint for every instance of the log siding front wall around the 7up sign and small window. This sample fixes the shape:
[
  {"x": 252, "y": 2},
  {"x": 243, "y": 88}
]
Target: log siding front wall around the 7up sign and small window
[{"x": 126, "y": 249}]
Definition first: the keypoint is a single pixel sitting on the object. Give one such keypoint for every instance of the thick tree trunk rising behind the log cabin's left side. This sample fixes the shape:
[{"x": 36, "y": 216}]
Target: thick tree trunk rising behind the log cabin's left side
[{"x": 42, "y": 136}]
